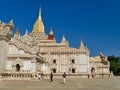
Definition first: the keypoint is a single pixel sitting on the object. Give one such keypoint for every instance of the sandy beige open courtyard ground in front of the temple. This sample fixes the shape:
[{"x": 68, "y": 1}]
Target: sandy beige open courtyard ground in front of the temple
[{"x": 72, "y": 84}]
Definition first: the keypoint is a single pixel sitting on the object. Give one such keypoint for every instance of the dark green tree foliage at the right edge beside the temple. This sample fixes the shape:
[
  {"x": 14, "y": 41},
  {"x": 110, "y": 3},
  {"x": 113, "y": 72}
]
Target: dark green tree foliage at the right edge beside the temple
[{"x": 114, "y": 65}]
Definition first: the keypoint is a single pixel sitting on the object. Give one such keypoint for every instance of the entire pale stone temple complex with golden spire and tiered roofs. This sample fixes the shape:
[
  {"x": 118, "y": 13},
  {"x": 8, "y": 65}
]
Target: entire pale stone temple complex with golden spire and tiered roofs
[{"x": 36, "y": 52}]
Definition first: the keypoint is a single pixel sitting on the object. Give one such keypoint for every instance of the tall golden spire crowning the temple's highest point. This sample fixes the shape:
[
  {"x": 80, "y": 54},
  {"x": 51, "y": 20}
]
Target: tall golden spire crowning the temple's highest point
[{"x": 38, "y": 26}]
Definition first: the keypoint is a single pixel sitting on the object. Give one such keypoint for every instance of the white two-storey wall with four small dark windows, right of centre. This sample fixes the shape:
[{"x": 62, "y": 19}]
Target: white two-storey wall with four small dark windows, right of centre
[{"x": 63, "y": 63}]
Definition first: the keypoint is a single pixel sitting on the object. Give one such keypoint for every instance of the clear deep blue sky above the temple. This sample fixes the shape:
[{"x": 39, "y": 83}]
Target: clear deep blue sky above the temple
[{"x": 96, "y": 21}]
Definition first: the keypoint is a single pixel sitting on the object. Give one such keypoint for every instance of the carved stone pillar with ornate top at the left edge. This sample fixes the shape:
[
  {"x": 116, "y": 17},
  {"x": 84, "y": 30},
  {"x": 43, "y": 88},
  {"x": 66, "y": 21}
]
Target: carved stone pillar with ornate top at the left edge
[{"x": 5, "y": 36}]
